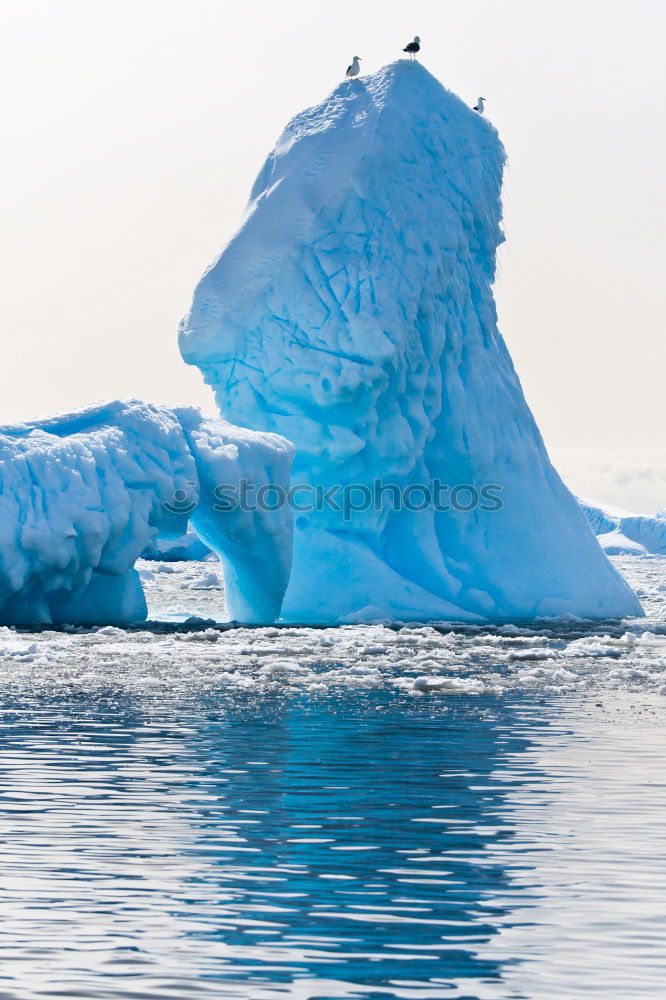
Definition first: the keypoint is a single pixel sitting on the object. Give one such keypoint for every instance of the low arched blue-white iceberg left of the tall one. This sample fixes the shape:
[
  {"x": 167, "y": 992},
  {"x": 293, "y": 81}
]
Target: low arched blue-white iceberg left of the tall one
[{"x": 83, "y": 494}]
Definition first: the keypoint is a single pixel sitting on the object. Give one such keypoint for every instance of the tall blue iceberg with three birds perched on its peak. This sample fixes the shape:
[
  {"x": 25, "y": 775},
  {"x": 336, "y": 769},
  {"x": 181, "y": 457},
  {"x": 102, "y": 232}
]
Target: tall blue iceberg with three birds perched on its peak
[{"x": 353, "y": 313}]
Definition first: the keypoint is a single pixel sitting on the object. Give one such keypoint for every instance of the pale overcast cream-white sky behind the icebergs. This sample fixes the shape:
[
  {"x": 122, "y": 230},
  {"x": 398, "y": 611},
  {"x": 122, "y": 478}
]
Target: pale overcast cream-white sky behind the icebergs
[{"x": 133, "y": 129}]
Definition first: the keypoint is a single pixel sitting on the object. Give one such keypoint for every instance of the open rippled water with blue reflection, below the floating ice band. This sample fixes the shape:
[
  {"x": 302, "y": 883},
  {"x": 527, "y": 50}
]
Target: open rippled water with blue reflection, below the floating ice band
[{"x": 359, "y": 844}]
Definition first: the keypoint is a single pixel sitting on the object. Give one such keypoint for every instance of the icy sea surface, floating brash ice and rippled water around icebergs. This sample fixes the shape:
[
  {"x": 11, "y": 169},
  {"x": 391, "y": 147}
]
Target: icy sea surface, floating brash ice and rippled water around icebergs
[{"x": 358, "y": 812}]
